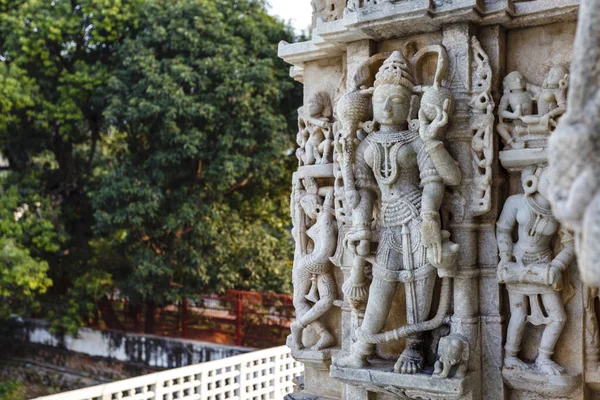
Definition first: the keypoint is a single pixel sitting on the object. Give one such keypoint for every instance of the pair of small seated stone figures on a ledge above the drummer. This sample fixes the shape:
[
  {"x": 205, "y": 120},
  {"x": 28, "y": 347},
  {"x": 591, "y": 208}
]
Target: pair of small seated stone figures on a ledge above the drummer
[{"x": 528, "y": 113}]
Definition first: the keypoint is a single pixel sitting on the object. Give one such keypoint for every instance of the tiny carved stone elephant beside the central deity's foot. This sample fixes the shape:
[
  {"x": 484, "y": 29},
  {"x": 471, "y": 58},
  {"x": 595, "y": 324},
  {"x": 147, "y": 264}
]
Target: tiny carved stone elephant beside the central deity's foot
[{"x": 452, "y": 350}]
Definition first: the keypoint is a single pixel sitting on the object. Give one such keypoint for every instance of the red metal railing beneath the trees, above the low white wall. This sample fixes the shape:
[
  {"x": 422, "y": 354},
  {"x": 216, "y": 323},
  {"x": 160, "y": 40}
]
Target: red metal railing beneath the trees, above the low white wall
[{"x": 237, "y": 318}]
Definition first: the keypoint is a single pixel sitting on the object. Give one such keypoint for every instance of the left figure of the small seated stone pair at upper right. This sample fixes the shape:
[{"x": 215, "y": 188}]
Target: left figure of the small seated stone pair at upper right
[{"x": 515, "y": 103}]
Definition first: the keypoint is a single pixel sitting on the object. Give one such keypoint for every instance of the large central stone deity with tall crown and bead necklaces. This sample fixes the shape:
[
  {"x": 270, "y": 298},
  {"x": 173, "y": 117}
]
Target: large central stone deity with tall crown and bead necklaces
[{"x": 404, "y": 171}]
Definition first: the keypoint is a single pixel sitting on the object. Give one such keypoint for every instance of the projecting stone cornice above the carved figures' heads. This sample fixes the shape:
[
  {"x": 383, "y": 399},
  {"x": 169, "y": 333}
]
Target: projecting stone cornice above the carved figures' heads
[{"x": 409, "y": 17}]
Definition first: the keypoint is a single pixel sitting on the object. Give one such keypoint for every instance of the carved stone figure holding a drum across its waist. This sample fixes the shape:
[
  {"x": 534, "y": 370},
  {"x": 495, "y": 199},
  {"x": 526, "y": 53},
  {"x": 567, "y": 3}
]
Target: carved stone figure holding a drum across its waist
[{"x": 531, "y": 271}]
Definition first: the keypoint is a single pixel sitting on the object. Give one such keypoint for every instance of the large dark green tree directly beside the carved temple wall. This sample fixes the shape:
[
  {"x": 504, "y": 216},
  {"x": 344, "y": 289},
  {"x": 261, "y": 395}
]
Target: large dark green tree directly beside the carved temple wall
[{"x": 201, "y": 107}]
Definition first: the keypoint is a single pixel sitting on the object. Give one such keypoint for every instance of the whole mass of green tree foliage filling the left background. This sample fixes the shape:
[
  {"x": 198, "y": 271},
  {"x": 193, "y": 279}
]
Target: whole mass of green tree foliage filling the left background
[{"x": 145, "y": 150}]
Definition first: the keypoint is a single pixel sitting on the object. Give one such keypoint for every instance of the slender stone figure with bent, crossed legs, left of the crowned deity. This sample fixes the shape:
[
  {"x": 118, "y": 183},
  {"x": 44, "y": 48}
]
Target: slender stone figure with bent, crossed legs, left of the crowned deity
[{"x": 314, "y": 285}]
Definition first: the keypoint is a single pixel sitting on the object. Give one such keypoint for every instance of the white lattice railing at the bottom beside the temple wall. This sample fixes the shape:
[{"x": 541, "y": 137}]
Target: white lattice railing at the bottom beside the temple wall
[{"x": 263, "y": 374}]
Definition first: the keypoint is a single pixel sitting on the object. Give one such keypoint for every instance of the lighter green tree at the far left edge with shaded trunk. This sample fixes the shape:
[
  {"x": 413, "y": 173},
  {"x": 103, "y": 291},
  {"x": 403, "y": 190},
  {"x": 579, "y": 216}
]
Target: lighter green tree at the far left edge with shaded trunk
[{"x": 55, "y": 59}]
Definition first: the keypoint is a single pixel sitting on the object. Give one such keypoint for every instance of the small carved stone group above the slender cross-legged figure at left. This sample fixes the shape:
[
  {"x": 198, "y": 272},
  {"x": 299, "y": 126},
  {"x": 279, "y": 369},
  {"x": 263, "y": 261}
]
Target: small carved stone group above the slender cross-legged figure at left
[{"x": 315, "y": 138}]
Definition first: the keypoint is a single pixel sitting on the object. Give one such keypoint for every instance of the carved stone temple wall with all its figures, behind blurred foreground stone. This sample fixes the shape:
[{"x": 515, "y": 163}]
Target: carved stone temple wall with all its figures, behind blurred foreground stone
[{"x": 428, "y": 262}]
